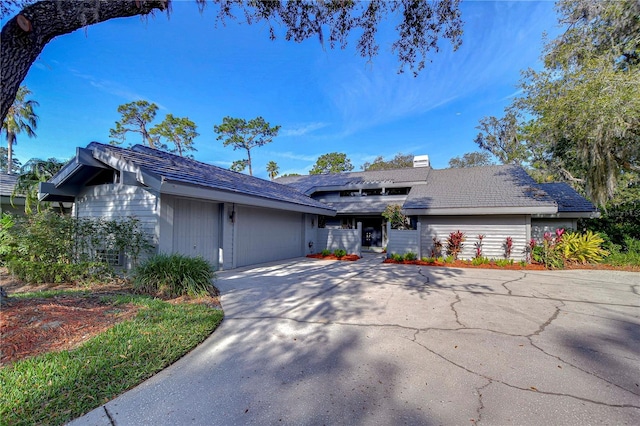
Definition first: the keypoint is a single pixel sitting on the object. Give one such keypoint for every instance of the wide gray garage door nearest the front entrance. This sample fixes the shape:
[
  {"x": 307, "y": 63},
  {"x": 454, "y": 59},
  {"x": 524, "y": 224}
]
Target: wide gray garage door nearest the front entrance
[{"x": 264, "y": 235}]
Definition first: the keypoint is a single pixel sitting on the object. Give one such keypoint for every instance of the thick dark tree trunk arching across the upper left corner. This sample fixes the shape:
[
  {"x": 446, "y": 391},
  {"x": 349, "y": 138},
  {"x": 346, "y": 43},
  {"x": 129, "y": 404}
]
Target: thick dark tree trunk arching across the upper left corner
[{"x": 25, "y": 35}]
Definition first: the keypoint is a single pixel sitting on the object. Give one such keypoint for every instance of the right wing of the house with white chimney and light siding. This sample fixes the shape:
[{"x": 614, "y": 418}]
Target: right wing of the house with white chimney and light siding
[{"x": 495, "y": 201}]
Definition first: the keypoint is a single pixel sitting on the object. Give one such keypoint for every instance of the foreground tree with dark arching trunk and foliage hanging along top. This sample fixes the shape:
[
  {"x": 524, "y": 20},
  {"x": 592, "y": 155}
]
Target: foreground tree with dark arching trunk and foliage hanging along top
[{"x": 419, "y": 24}]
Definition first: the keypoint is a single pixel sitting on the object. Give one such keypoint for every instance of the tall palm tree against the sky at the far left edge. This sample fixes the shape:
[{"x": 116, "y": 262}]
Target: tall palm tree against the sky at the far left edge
[{"x": 20, "y": 118}]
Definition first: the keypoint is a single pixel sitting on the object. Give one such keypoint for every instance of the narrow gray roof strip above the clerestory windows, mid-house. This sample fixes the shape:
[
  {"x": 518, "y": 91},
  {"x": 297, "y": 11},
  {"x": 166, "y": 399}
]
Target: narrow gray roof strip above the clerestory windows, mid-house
[{"x": 311, "y": 183}]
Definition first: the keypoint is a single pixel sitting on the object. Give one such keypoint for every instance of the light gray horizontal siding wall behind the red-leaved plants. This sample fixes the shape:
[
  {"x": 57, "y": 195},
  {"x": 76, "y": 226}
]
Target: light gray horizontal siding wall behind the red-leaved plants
[{"x": 496, "y": 229}]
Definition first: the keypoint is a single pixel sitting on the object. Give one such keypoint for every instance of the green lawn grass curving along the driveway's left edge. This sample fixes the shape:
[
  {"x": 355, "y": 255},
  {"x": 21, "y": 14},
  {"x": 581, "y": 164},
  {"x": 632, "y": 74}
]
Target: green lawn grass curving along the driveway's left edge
[{"x": 57, "y": 387}]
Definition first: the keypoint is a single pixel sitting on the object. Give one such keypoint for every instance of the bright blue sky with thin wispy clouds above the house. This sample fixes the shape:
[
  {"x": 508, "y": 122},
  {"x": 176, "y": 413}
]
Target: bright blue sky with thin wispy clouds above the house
[{"x": 325, "y": 100}]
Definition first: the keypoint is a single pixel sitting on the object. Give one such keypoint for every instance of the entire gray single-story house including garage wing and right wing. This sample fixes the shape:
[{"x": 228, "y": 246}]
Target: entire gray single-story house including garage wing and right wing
[{"x": 233, "y": 220}]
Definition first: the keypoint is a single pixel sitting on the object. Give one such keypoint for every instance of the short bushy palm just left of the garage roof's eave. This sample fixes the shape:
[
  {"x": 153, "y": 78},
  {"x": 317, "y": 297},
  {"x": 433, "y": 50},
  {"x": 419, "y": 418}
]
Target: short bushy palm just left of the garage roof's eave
[{"x": 31, "y": 174}]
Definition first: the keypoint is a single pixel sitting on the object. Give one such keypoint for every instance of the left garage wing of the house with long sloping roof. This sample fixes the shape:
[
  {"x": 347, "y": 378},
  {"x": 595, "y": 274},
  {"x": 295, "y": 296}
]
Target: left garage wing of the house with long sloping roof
[{"x": 189, "y": 207}]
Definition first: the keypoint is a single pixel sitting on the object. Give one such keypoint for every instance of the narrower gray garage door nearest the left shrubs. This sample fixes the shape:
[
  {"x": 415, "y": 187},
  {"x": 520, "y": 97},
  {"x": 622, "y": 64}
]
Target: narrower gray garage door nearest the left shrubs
[{"x": 195, "y": 229}]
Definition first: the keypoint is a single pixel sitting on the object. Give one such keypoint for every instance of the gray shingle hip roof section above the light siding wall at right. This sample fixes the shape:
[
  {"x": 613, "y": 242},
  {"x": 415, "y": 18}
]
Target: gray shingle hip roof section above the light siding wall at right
[{"x": 478, "y": 187}]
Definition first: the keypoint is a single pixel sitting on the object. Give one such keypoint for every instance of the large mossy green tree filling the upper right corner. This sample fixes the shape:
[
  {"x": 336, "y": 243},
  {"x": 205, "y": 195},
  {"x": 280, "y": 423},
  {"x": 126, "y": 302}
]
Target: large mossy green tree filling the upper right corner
[{"x": 582, "y": 110}]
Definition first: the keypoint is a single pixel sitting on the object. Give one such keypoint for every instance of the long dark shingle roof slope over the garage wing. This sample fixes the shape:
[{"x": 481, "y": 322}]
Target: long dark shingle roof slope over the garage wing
[{"x": 184, "y": 170}]
